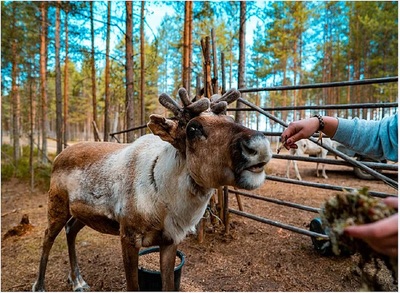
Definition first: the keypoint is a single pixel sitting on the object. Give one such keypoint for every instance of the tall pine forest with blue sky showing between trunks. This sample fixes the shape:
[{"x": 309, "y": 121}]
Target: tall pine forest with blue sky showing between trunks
[{"x": 81, "y": 70}]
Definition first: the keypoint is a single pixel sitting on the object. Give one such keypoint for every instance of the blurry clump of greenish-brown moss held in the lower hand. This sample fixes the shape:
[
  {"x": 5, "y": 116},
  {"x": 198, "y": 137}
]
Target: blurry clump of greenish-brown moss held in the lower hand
[{"x": 357, "y": 208}]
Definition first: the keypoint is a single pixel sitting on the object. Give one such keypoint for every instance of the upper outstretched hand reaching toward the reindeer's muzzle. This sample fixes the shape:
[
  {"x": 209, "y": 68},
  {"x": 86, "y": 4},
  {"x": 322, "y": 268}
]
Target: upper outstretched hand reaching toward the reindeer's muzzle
[{"x": 298, "y": 130}]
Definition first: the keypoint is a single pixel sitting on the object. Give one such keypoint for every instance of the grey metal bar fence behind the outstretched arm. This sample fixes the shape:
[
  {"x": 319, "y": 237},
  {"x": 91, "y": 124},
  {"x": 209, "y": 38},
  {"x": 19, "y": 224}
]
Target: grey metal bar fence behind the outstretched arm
[{"x": 348, "y": 161}]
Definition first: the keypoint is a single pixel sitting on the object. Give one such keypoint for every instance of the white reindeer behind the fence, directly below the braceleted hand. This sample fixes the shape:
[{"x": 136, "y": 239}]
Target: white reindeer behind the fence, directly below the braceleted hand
[{"x": 307, "y": 147}]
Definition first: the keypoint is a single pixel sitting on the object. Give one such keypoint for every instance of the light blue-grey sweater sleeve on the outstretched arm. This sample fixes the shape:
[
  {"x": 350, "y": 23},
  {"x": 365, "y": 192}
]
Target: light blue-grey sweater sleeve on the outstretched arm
[{"x": 375, "y": 139}]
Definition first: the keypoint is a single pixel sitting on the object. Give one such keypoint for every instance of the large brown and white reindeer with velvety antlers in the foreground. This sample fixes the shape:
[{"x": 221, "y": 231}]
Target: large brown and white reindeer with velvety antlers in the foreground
[{"x": 155, "y": 190}]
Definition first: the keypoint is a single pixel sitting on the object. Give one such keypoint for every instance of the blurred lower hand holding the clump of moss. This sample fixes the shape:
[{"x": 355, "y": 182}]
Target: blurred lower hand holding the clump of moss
[{"x": 382, "y": 236}]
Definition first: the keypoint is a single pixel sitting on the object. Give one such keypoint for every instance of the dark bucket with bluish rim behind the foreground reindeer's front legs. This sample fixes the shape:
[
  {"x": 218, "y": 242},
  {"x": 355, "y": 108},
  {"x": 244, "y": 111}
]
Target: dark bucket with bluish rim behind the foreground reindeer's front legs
[{"x": 150, "y": 280}]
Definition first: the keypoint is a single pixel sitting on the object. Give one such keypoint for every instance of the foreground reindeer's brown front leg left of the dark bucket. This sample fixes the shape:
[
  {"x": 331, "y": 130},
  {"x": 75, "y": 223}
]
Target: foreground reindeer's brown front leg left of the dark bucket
[{"x": 130, "y": 256}]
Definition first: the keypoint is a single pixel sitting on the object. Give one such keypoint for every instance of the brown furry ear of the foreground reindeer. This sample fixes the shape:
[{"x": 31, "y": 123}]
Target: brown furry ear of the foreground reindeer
[{"x": 165, "y": 128}]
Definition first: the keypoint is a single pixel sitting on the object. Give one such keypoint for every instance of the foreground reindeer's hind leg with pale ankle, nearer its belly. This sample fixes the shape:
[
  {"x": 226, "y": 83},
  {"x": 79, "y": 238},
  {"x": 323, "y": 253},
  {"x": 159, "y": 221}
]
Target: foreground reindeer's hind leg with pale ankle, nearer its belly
[{"x": 72, "y": 228}]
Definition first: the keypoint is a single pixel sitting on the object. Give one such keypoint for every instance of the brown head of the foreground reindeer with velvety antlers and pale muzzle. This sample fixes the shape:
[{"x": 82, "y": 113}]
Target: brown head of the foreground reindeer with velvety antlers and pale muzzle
[{"x": 218, "y": 151}]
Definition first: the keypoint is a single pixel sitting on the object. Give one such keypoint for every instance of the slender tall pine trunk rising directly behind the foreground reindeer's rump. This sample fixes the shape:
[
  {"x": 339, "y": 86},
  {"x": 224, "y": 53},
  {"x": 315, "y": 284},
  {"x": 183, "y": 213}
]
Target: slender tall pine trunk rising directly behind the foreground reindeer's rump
[{"x": 58, "y": 81}]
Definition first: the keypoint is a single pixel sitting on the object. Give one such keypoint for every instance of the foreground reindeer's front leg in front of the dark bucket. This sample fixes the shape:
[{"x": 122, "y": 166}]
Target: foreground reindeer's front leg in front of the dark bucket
[{"x": 167, "y": 264}]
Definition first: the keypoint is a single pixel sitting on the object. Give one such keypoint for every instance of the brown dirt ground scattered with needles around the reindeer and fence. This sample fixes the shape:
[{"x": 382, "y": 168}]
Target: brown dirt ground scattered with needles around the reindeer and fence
[{"x": 253, "y": 257}]
